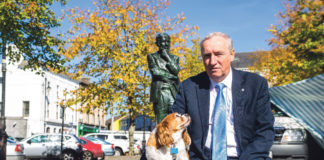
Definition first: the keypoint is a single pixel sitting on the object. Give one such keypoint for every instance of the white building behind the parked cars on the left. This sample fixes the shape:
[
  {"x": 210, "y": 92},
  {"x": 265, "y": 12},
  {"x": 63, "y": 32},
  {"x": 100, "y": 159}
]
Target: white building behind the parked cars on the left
[{"x": 32, "y": 102}]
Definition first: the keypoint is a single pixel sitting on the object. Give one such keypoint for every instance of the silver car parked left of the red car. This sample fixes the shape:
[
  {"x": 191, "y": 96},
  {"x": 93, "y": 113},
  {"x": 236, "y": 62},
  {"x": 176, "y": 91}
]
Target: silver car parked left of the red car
[{"x": 49, "y": 146}]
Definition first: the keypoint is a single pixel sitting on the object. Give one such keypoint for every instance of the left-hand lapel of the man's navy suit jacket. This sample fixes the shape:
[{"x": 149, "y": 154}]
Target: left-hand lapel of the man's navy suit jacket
[{"x": 203, "y": 102}]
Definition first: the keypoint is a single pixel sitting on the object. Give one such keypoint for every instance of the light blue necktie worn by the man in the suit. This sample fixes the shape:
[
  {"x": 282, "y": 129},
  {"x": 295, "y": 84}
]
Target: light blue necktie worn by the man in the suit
[{"x": 219, "y": 148}]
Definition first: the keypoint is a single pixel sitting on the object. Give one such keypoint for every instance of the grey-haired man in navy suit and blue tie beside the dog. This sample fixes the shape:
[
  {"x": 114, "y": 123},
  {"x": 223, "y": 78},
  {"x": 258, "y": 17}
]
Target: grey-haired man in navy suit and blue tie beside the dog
[{"x": 230, "y": 109}]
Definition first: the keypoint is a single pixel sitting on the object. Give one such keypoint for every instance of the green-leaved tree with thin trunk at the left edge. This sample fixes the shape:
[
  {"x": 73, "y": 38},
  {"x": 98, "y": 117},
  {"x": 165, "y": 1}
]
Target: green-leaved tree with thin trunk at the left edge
[{"x": 25, "y": 33}]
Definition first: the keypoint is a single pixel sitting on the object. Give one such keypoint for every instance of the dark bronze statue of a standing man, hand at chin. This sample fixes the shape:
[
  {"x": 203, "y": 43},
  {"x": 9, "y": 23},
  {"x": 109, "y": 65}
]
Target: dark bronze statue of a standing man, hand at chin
[{"x": 164, "y": 68}]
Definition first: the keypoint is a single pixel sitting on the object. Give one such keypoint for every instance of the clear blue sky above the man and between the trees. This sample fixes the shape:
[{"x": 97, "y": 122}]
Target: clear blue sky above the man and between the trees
[{"x": 245, "y": 21}]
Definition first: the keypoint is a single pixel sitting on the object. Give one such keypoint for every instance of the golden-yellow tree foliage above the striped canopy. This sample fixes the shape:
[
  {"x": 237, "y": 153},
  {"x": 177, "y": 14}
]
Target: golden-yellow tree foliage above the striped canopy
[{"x": 297, "y": 45}]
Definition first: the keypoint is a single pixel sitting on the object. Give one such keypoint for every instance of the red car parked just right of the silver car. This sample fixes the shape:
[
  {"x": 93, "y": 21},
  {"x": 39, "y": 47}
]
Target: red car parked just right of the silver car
[{"x": 91, "y": 150}]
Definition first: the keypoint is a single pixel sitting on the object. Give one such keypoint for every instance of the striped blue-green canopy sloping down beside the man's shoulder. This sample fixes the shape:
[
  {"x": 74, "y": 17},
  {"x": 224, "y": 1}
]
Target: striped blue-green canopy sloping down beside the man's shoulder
[{"x": 304, "y": 102}]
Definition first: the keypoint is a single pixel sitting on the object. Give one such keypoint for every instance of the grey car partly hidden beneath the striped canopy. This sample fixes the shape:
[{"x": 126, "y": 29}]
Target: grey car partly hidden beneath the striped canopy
[{"x": 290, "y": 138}]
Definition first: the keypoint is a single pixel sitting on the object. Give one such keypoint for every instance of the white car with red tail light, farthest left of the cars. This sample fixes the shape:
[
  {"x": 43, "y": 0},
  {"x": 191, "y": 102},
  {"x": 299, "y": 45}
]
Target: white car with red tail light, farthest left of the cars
[{"x": 14, "y": 151}]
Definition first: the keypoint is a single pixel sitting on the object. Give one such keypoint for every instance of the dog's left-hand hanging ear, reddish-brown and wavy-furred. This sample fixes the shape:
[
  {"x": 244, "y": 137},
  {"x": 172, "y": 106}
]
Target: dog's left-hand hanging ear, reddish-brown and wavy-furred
[{"x": 164, "y": 135}]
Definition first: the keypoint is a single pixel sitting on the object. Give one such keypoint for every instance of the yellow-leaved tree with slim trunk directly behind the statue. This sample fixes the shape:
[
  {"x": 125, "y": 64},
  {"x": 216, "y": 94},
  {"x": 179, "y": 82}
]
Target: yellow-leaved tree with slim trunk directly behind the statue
[{"x": 110, "y": 45}]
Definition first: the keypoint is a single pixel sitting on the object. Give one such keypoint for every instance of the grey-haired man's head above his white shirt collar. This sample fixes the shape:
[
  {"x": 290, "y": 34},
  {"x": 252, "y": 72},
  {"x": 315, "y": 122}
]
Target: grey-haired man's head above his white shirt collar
[{"x": 217, "y": 58}]
